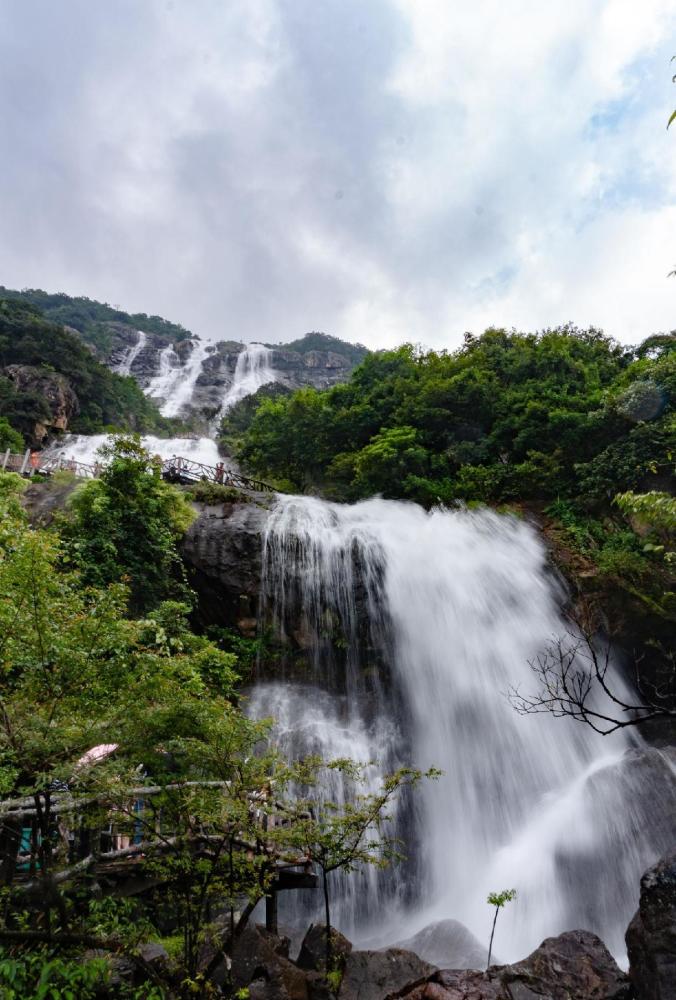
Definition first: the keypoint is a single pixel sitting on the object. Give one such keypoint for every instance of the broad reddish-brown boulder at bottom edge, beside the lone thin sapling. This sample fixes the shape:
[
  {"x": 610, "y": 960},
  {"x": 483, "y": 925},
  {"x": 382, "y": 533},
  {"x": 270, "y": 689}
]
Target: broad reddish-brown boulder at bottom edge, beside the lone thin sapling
[{"x": 573, "y": 966}]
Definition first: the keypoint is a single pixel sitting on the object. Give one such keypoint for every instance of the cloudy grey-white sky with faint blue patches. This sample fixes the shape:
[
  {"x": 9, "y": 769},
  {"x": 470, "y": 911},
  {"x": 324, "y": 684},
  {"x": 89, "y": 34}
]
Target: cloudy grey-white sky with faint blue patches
[{"x": 384, "y": 170}]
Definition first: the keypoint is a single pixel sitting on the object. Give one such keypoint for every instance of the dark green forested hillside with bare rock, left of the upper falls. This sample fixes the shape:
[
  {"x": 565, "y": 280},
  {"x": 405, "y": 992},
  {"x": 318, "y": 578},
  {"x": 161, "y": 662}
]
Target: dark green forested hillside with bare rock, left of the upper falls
[{"x": 50, "y": 381}]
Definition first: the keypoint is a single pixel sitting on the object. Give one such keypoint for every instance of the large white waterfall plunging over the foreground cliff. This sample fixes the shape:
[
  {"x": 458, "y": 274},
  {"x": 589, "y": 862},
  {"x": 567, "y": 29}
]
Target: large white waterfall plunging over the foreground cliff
[{"x": 437, "y": 616}]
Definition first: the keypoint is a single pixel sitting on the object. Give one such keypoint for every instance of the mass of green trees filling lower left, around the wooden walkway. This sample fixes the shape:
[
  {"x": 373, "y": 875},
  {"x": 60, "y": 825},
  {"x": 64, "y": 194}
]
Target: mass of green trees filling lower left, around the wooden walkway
[{"x": 129, "y": 727}]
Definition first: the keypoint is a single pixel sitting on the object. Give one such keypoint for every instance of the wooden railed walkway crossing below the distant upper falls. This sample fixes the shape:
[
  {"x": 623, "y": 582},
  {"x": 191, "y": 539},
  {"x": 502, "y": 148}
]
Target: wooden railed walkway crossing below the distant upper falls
[{"x": 176, "y": 469}]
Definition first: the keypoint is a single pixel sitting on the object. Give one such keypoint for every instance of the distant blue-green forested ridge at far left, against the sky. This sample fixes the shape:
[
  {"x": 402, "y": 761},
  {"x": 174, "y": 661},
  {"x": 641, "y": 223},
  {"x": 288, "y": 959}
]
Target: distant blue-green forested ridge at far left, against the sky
[{"x": 90, "y": 318}]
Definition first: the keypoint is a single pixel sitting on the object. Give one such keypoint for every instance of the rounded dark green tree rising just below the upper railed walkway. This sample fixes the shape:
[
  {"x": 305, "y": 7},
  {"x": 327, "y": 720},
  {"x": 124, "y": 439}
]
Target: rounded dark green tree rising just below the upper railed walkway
[{"x": 126, "y": 524}]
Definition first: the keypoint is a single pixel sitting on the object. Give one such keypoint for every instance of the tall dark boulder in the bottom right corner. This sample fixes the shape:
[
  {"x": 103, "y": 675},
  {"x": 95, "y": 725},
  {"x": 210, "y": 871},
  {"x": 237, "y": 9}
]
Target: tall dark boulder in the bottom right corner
[{"x": 651, "y": 935}]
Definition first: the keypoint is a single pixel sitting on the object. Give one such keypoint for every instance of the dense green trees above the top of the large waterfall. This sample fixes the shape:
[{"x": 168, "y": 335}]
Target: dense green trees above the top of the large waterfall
[{"x": 508, "y": 416}]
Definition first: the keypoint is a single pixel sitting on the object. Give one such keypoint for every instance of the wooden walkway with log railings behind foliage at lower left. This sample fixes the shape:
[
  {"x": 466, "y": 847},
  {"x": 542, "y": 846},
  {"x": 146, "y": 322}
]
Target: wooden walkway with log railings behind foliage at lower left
[{"x": 123, "y": 858}]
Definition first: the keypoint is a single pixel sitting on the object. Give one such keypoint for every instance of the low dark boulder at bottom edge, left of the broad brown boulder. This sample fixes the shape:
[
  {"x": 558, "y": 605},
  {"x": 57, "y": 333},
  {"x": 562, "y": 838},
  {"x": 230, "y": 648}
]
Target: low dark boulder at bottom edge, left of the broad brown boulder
[{"x": 372, "y": 975}]
